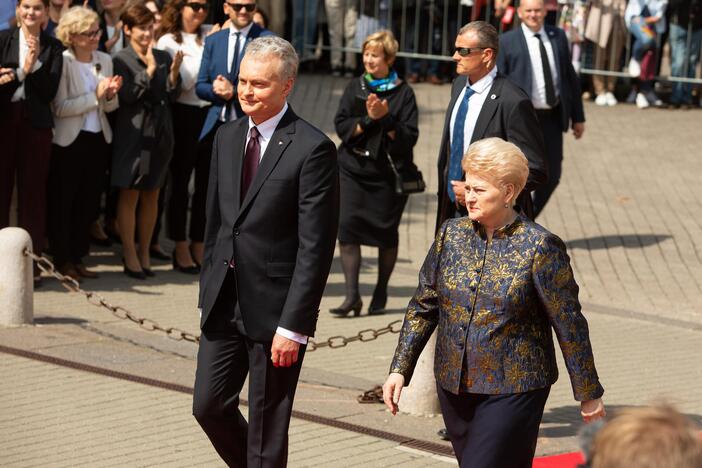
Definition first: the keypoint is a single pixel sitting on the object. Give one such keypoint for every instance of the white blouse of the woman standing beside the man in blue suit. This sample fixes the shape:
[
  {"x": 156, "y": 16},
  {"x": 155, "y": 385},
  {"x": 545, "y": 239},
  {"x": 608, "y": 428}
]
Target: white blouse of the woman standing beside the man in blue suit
[{"x": 192, "y": 56}]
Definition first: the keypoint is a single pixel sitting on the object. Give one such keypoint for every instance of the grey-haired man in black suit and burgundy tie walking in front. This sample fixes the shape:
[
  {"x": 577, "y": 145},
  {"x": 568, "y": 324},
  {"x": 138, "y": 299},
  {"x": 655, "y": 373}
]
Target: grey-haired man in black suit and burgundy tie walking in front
[{"x": 269, "y": 243}]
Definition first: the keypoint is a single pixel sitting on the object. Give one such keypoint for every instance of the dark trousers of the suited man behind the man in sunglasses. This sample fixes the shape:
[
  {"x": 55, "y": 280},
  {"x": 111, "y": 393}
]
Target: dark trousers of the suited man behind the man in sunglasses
[{"x": 550, "y": 123}]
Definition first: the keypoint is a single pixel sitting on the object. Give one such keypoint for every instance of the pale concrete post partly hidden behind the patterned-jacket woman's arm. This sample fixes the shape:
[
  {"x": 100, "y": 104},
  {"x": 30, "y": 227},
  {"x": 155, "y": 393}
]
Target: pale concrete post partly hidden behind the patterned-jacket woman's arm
[{"x": 420, "y": 398}]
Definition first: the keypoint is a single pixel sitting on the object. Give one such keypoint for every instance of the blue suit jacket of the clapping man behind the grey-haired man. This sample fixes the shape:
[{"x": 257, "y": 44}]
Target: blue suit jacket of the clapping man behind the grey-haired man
[{"x": 214, "y": 62}]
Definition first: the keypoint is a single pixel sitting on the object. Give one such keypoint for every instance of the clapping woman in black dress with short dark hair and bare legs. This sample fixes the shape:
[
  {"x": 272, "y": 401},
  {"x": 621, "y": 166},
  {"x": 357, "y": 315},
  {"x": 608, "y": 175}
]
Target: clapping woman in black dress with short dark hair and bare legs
[{"x": 143, "y": 143}]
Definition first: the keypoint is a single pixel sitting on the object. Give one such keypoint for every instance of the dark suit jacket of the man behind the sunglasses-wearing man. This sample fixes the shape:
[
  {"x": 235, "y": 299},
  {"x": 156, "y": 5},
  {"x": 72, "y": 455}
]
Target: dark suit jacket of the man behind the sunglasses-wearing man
[{"x": 513, "y": 61}]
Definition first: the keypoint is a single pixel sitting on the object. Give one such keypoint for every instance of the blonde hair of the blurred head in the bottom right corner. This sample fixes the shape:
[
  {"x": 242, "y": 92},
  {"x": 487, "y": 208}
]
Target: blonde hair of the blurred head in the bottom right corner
[{"x": 647, "y": 438}]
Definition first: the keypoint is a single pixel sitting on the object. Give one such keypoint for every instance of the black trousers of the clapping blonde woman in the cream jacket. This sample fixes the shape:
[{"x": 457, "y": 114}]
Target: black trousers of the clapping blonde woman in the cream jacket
[{"x": 75, "y": 181}]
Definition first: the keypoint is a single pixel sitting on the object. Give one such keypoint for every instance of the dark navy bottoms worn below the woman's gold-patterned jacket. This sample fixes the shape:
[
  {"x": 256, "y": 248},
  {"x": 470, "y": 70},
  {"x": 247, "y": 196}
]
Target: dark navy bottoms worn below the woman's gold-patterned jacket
[{"x": 489, "y": 431}]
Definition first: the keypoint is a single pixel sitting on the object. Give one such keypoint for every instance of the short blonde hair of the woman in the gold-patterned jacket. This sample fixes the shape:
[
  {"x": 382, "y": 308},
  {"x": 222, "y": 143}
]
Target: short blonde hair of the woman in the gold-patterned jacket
[{"x": 498, "y": 161}]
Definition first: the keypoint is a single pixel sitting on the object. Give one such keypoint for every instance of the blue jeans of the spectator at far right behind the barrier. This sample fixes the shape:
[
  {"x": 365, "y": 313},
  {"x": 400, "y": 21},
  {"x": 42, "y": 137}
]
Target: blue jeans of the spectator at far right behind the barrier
[{"x": 680, "y": 57}]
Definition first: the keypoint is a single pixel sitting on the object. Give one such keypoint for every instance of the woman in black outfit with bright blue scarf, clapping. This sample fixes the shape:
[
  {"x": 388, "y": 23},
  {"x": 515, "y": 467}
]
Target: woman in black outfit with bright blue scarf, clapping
[{"x": 377, "y": 117}]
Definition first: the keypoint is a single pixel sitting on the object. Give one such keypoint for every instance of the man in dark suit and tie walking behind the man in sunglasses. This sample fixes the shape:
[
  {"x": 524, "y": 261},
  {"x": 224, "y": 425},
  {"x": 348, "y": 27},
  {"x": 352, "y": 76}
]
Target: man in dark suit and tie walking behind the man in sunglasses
[{"x": 537, "y": 58}]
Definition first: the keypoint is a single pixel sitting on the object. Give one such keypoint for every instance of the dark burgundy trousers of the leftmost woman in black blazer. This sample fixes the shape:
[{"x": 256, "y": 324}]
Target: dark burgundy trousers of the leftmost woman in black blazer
[{"x": 25, "y": 155}]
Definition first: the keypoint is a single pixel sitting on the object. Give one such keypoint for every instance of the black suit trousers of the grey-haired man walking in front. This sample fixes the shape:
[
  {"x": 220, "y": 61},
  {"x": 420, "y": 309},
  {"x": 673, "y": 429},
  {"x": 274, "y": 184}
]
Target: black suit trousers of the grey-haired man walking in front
[{"x": 225, "y": 357}]
